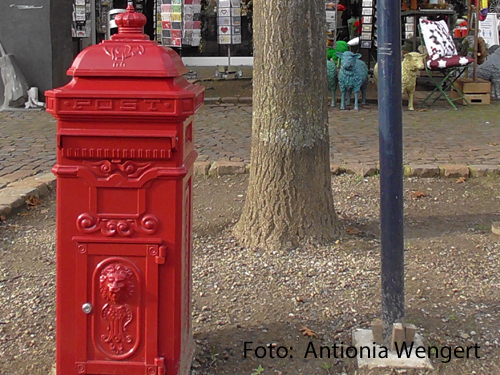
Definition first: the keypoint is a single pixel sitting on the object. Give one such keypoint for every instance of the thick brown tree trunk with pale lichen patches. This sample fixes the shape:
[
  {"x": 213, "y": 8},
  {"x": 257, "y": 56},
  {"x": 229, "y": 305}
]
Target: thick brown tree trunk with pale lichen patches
[{"x": 289, "y": 199}]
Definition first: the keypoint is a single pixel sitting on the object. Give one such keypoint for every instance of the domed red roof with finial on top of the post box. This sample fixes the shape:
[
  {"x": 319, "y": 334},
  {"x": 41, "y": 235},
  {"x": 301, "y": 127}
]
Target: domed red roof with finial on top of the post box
[{"x": 129, "y": 53}]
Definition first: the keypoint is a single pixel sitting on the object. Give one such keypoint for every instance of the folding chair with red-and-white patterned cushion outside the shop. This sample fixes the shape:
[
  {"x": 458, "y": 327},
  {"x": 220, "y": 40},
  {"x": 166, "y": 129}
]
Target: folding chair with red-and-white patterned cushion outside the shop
[{"x": 442, "y": 57}]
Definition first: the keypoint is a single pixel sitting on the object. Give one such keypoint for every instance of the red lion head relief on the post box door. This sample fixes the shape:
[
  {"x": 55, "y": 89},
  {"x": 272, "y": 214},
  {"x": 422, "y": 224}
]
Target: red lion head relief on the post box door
[{"x": 116, "y": 283}]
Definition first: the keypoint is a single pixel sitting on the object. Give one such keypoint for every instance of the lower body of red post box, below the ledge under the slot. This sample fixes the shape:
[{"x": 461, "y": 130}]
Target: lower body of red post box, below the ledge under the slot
[{"x": 124, "y": 278}]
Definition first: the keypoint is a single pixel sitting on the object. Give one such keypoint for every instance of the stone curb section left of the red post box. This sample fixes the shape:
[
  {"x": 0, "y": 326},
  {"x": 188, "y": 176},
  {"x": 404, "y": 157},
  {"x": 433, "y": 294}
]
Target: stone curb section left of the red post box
[{"x": 15, "y": 194}]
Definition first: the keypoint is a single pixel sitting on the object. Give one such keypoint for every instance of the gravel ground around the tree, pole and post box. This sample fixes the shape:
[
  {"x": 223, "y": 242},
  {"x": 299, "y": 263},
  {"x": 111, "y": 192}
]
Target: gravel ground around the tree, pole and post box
[{"x": 243, "y": 295}]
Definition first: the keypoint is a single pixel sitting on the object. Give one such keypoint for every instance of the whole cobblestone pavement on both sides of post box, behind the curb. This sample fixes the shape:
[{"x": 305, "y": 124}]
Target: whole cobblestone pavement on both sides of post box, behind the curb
[{"x": 438, "y": 135}]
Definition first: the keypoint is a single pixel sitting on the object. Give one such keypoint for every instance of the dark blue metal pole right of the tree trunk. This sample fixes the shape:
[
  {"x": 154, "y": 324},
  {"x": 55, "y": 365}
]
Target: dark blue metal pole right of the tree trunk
[{"x": 391, "y": 163}]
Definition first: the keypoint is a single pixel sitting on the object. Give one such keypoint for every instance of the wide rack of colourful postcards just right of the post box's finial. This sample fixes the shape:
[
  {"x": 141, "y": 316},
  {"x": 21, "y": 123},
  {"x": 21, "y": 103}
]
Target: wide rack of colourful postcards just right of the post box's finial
[{"x": 178, "y": 22}]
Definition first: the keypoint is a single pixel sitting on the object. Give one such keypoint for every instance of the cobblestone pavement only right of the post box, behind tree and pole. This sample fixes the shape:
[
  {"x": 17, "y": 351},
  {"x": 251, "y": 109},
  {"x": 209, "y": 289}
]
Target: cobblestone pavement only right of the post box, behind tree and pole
[{"x": 434, "y": 136}]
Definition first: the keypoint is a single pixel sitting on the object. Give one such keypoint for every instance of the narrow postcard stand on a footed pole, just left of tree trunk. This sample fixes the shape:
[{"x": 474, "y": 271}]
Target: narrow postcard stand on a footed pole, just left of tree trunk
[{"x": 228, "y": 33}]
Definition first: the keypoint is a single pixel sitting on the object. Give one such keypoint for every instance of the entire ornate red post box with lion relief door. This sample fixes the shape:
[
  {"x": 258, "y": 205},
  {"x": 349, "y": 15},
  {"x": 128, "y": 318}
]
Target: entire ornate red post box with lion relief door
[{"x": 124, "y": 178}]
